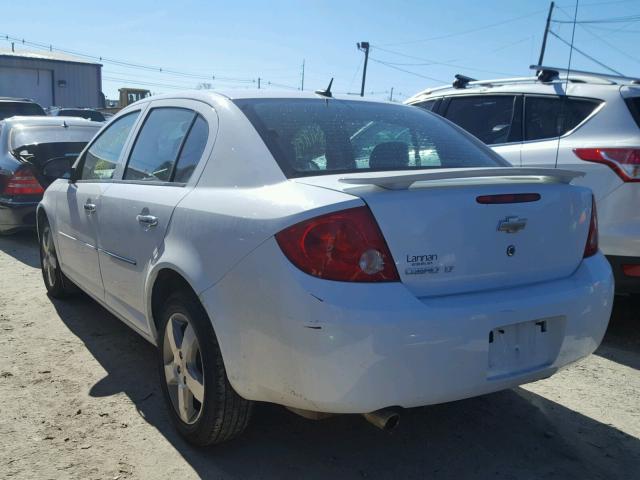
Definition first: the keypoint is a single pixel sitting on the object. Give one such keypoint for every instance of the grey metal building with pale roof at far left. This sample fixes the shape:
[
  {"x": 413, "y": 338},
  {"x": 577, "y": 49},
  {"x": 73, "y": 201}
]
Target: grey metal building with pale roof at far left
[{"x": 51, "y": 78}]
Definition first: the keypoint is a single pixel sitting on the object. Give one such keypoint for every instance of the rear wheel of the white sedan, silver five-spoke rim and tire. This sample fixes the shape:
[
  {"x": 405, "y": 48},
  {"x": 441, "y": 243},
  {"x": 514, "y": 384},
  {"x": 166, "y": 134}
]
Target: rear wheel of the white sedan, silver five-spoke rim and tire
[{"x": 188, "y": 352}]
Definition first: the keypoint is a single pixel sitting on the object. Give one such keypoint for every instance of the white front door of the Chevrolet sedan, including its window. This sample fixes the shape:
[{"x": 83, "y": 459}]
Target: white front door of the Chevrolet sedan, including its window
[{"x": 79, "y": 204}]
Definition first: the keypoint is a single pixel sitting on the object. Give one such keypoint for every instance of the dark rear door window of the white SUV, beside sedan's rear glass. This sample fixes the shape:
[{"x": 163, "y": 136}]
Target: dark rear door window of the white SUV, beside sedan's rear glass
[{"x": 488, "y": 117}]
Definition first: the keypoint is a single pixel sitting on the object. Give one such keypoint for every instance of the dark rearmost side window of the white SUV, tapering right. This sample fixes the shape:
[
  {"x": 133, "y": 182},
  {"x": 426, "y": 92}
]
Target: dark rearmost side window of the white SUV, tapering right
[{"x": 550, "y": 117}]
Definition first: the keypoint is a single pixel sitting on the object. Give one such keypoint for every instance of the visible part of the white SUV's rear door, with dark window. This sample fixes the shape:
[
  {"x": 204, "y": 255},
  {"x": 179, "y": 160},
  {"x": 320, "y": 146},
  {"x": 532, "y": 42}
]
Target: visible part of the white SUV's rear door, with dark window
[{"x": 494, "y": 119}]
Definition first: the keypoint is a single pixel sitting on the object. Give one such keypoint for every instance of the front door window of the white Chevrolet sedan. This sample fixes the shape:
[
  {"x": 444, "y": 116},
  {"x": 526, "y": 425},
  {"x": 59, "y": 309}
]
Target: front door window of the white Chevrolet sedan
[{"x": 101, "y": 159}]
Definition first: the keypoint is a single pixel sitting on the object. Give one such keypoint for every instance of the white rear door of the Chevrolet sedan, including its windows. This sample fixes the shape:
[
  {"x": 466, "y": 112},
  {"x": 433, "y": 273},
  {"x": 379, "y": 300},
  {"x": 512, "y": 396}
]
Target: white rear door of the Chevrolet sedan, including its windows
[{"x": 161, "y": 168}]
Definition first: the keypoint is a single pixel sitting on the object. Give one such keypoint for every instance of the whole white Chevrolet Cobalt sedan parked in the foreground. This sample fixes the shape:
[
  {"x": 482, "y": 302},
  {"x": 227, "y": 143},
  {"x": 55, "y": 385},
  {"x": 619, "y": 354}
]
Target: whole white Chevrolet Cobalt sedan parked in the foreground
[{"x": 327, "y": 254}]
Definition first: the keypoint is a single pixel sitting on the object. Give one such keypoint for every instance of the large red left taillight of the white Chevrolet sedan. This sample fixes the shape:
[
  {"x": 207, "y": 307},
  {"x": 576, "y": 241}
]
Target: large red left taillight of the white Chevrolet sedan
[{"x": 347, "y": 246}]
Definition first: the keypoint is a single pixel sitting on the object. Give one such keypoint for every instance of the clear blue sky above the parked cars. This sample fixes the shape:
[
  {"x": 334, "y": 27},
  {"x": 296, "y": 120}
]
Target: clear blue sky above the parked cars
[{"x": 414, "y": 44}]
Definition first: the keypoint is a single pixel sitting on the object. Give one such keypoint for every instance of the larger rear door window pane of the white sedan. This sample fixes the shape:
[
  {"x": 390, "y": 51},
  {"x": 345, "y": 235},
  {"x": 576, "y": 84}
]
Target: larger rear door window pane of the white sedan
[{"x": 156, "y": 149}]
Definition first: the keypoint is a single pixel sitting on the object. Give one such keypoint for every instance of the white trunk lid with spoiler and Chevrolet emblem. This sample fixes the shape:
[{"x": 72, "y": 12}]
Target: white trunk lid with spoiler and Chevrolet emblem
[{"x": 450, "y": 231}]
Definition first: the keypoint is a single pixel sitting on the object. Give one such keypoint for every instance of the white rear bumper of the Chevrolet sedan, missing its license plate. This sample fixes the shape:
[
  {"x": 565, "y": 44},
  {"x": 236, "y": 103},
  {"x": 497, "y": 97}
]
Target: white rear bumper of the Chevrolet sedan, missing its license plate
[{"x": 292, "y": 339}]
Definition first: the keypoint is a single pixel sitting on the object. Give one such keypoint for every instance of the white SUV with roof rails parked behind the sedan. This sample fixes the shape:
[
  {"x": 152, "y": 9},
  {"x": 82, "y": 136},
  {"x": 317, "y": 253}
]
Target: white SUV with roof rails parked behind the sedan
[{"x": 590, "y": 125}]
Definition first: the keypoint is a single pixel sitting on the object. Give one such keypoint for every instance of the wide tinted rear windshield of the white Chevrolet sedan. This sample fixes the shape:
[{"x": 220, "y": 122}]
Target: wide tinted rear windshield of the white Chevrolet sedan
[{"x": 326, "y": 136}]
